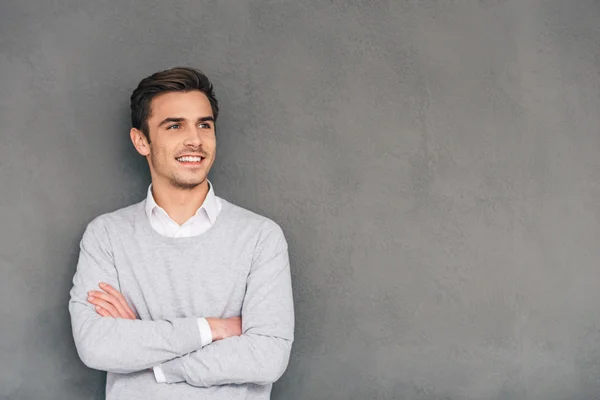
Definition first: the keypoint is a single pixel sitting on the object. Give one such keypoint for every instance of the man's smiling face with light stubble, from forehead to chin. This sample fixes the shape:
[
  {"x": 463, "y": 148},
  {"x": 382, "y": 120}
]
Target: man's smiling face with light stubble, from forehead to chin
[{"x": 182, "y": 145}]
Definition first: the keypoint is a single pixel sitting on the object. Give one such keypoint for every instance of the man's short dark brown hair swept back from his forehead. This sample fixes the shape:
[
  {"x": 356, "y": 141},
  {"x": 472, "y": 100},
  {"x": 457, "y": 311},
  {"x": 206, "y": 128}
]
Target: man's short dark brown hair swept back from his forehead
[{"x": 177, "y": 79}]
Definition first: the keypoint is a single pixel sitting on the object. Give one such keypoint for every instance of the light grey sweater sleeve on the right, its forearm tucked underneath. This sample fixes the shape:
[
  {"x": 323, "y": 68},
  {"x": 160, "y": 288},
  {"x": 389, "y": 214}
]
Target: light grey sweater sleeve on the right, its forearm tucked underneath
[{"x": 261, "y": 354}]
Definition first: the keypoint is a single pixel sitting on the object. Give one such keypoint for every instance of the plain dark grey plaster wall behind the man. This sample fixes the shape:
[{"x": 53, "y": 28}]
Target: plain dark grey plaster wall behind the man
[{"x": 435, "y": 166}]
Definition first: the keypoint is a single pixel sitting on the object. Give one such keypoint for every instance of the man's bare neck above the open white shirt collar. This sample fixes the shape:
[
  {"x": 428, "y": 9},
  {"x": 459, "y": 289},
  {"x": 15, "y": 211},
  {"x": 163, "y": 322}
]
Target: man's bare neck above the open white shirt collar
[{"x": 179, "y": 204}]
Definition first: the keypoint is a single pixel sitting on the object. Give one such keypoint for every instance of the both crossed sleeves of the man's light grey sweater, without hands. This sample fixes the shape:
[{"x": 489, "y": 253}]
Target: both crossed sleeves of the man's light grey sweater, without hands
[{"x": 121, "y": 345}]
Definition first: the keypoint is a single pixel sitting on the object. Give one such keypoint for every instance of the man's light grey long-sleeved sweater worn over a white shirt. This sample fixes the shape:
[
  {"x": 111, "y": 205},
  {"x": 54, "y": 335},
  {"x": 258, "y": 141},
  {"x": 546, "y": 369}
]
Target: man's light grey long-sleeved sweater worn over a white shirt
[{"x": 239, "y": 267}]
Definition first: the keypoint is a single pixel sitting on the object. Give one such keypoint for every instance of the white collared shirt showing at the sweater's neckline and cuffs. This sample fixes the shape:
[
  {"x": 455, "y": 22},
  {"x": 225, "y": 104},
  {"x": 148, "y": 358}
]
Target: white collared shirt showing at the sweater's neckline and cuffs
[{"x": 199, "y": 223}]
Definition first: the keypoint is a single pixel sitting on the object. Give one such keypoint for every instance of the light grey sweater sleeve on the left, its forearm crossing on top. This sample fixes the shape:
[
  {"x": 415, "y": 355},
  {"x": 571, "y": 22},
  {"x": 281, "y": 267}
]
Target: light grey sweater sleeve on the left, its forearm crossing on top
[{"x": 116, "y": 344}]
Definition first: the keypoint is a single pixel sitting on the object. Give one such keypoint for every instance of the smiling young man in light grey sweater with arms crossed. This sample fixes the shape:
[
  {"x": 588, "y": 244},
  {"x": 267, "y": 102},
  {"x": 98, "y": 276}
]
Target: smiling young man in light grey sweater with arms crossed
[{"x": 183, "y": 295}]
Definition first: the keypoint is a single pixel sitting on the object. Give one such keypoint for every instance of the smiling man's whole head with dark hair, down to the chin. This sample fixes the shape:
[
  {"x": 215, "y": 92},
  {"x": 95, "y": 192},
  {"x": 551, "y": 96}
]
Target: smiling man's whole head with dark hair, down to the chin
[{"x": 173, "y": 114}]
